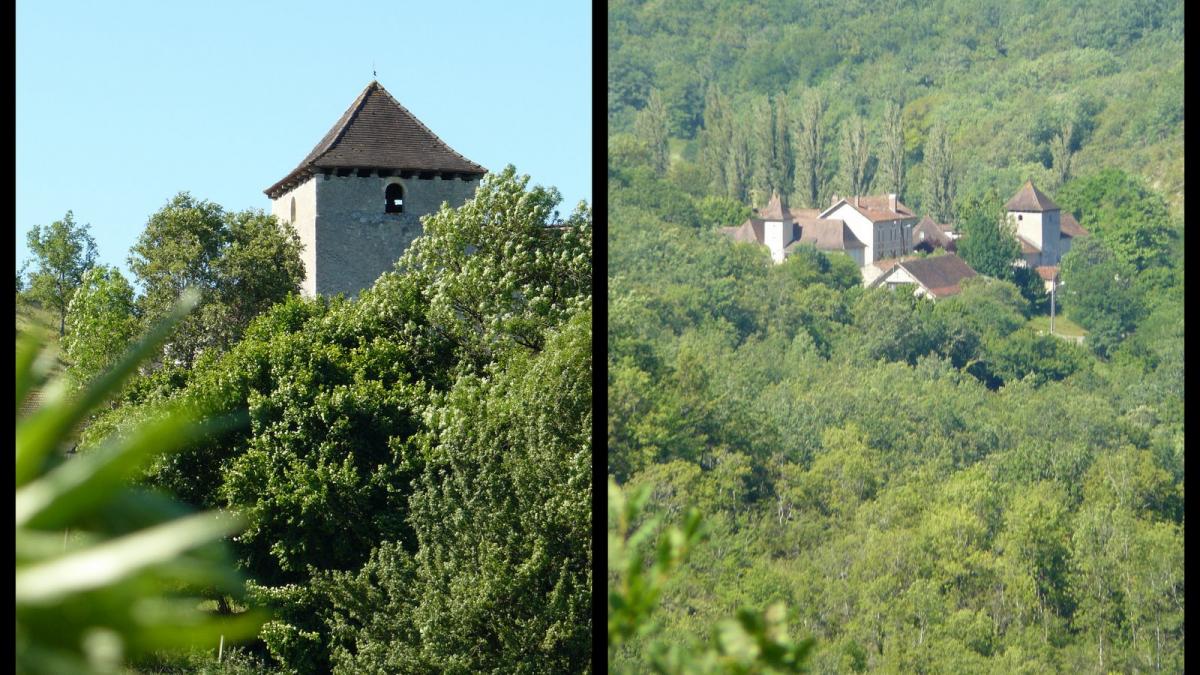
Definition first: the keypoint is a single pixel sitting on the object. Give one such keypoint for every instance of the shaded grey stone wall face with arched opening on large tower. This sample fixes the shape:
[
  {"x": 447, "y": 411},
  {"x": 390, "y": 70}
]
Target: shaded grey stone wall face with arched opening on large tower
[{"x": 356, "y": 240}]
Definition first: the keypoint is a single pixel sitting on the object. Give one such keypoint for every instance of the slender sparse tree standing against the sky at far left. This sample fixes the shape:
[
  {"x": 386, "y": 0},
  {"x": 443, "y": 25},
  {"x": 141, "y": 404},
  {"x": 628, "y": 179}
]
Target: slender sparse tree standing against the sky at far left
[{"x": 63, "y": 253}]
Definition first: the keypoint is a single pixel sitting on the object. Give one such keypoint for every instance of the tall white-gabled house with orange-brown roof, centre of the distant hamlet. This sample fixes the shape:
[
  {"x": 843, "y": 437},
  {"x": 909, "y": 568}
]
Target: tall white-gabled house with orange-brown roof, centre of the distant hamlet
[{"x": 881, "y": 223}]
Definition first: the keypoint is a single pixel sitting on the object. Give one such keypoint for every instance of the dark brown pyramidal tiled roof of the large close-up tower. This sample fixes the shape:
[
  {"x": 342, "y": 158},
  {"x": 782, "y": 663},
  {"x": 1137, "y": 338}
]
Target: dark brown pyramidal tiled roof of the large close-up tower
[{"x": 377, "y": 133}]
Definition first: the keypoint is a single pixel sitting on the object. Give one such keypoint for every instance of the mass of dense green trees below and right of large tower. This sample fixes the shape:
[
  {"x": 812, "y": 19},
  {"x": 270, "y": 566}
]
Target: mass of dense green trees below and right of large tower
[{"x": 416, "y": 477}]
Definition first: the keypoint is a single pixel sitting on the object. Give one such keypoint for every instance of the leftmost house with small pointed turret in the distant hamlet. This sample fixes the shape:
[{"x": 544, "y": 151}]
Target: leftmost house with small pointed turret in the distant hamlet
[{"x": 783, "y": 230}]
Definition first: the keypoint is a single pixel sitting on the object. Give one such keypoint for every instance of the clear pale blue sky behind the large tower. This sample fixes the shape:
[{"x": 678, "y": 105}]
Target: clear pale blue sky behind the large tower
[{"x": 123, "y": 105}]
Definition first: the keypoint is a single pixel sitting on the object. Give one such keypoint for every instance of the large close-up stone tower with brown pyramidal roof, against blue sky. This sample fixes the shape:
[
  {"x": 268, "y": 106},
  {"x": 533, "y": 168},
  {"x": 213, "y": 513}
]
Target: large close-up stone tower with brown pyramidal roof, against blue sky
[{"x": 357, "y": 200}]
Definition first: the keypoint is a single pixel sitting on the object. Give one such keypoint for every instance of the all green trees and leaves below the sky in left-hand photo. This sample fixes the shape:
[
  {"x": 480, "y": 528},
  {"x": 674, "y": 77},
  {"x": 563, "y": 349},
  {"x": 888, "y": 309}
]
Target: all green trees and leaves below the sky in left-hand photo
[{"x": 410, "y": 471}]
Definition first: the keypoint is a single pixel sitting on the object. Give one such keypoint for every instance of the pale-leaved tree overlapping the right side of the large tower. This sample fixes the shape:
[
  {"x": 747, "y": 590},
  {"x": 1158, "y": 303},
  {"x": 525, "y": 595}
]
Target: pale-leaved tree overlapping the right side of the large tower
[{"x": 520, "y": 278}]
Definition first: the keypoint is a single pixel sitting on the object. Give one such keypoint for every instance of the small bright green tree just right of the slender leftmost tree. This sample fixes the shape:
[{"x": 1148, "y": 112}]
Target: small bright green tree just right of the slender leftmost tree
[{"x": 101, "y": 322}]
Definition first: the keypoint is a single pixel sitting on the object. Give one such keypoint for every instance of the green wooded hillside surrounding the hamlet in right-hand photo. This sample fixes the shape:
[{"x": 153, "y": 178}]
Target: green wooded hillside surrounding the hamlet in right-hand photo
[{"x": 911, "y": 486}]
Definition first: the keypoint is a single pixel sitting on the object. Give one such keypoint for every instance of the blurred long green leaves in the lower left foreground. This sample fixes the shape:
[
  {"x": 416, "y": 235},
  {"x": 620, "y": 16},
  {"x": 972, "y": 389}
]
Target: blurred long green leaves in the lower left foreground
[{"x": 107, "y": 574}]
